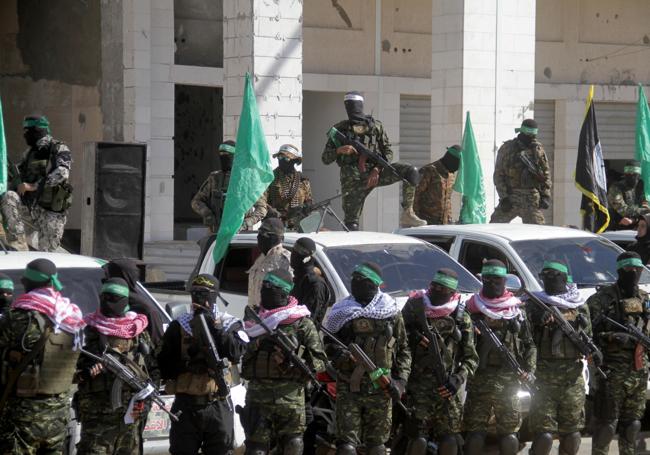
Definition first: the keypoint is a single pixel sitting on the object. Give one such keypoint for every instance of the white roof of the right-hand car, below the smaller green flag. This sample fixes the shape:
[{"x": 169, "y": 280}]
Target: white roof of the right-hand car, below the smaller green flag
[{"x": 507, "y": 231}]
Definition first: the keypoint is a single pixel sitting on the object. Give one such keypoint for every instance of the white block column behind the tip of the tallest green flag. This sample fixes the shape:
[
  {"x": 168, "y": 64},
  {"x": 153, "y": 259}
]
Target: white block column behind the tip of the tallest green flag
[{"x": 265, "y": 39}]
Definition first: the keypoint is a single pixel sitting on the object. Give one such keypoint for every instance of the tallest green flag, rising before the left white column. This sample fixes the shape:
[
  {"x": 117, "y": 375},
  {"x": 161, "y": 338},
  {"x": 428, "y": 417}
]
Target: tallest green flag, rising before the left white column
[{"x": 251, "y": 172}]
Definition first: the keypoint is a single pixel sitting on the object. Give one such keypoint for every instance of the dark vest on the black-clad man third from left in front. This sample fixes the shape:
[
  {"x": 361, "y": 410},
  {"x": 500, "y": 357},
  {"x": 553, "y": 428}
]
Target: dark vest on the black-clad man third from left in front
[{"x": 195, "y": 380}]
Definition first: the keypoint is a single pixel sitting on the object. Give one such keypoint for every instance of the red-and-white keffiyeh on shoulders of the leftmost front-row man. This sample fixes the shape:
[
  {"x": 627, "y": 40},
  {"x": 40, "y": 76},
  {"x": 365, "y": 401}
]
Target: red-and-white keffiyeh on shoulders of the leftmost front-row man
[{"x": 64, "y": 314}]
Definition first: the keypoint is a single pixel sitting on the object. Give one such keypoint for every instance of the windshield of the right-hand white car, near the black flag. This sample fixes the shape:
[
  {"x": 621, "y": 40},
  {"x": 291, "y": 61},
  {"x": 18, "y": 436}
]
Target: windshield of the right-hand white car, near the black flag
[{"x": 591, "y": 261}]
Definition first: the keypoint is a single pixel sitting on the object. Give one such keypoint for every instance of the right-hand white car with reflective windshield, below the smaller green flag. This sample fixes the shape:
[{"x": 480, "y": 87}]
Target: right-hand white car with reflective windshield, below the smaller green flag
[{"x": 524, "y": 248}]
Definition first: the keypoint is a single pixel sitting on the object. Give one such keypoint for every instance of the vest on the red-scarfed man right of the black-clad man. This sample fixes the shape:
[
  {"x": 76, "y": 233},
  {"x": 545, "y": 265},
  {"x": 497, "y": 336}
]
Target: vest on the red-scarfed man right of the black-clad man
[{"x": 266, "y": 361}]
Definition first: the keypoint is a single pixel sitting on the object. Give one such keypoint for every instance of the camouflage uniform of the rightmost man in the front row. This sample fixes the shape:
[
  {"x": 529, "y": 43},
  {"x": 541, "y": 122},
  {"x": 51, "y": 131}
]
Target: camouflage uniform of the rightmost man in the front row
[{"x": 621, "y": 397}]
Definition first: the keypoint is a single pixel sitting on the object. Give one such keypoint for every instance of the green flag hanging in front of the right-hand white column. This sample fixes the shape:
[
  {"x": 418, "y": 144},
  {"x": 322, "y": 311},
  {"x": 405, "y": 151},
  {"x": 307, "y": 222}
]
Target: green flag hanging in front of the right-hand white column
[{"x": 469, "y": 180}]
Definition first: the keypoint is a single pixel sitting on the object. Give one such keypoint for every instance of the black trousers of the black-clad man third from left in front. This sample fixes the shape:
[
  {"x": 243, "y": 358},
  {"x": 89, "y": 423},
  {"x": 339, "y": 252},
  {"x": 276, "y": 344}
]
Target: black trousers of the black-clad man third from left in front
[{"x": 203, "y": 424}]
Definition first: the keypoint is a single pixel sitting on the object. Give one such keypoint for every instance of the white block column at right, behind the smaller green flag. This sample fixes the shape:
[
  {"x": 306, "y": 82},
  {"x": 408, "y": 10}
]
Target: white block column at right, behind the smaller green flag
[{"x": 483, "y": 62}]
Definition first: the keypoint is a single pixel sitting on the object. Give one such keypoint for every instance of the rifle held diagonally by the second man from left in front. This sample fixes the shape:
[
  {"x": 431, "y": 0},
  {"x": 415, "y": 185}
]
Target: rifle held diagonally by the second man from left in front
[{"x": 126, "y": 375}]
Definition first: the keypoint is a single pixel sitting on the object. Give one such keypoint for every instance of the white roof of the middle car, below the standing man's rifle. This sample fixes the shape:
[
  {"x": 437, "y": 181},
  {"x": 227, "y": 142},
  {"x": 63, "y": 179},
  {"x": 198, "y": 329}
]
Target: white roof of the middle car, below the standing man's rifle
[{"x": 341, "y": 238}]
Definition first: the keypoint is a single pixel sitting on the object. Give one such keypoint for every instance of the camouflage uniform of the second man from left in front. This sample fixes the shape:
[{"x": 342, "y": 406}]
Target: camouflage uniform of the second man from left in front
[{"x": 103, "y": 431}]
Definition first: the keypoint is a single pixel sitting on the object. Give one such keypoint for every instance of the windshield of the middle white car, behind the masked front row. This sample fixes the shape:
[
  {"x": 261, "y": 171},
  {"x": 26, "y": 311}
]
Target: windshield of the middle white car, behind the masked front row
[{"x": 404, "y": 266}]
